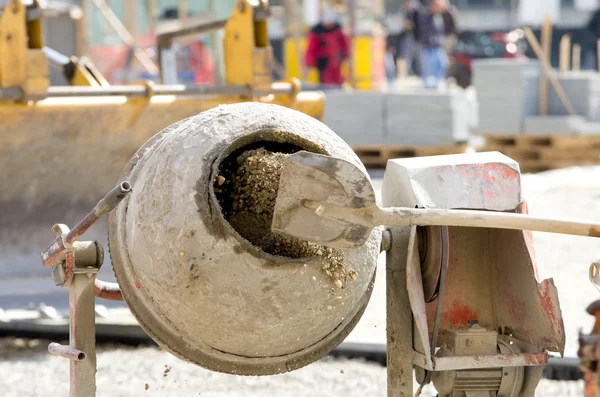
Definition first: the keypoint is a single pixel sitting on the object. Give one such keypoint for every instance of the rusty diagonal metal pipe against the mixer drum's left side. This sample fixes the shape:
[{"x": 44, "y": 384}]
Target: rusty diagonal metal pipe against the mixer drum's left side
[{"x": 52, "y": 254}]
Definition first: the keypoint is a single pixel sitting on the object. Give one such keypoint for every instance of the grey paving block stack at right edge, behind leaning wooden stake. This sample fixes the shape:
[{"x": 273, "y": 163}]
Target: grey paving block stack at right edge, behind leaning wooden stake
[{"x": 583, "y": 90}]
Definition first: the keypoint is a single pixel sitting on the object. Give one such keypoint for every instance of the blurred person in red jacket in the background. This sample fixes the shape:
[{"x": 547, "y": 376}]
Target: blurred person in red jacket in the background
[{"x": 327, "y": 49}]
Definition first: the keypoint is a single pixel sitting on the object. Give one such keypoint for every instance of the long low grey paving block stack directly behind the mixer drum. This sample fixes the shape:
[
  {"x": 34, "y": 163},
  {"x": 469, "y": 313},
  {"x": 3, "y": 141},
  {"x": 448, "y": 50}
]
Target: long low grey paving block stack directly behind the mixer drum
[{"x": 420, "y": 118}]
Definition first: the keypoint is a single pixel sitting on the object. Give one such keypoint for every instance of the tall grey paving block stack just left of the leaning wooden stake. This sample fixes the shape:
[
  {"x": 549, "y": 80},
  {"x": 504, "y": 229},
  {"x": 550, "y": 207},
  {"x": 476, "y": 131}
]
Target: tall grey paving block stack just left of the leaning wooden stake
[{"x": 508, "y": 92}]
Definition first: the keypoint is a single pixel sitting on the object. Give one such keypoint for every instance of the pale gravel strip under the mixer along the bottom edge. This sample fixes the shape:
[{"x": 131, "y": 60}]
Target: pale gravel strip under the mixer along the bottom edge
[{"x": 125, "y": 372}]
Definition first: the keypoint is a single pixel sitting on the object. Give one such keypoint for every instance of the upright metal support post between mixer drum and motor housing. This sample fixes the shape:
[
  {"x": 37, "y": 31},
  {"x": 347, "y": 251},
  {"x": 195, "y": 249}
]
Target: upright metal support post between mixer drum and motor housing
[{"x": 399, "y": 317}]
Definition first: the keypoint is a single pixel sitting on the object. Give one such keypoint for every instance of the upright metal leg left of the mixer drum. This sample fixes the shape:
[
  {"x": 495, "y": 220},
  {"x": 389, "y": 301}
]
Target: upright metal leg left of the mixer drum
[{"x": 83, "y": 332}]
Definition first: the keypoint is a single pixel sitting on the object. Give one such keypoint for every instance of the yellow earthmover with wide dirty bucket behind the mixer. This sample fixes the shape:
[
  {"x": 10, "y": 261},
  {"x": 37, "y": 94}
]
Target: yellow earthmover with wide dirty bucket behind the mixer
[{"x": 51, "y": 137}]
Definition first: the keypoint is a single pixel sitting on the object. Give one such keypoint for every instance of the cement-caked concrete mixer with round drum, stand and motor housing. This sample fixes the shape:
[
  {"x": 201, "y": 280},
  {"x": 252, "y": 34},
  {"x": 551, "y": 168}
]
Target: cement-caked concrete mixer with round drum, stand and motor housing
[{"x": 192, "y": 243}]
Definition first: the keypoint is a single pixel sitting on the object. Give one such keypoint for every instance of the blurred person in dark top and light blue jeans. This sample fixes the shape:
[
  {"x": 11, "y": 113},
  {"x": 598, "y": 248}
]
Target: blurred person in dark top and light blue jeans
[{"x": 432, "y": 25}]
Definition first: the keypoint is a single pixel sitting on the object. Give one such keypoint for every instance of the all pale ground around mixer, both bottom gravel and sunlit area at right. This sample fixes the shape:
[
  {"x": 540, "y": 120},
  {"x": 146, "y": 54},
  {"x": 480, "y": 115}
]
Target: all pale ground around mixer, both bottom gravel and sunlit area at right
[{"x": 125, "y": 371}]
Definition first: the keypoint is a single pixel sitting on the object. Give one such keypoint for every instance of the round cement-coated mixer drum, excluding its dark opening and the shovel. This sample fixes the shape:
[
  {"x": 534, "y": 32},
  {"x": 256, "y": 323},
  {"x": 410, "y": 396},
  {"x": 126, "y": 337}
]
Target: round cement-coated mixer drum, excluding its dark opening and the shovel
[{"x": 201, "y": 290}]
